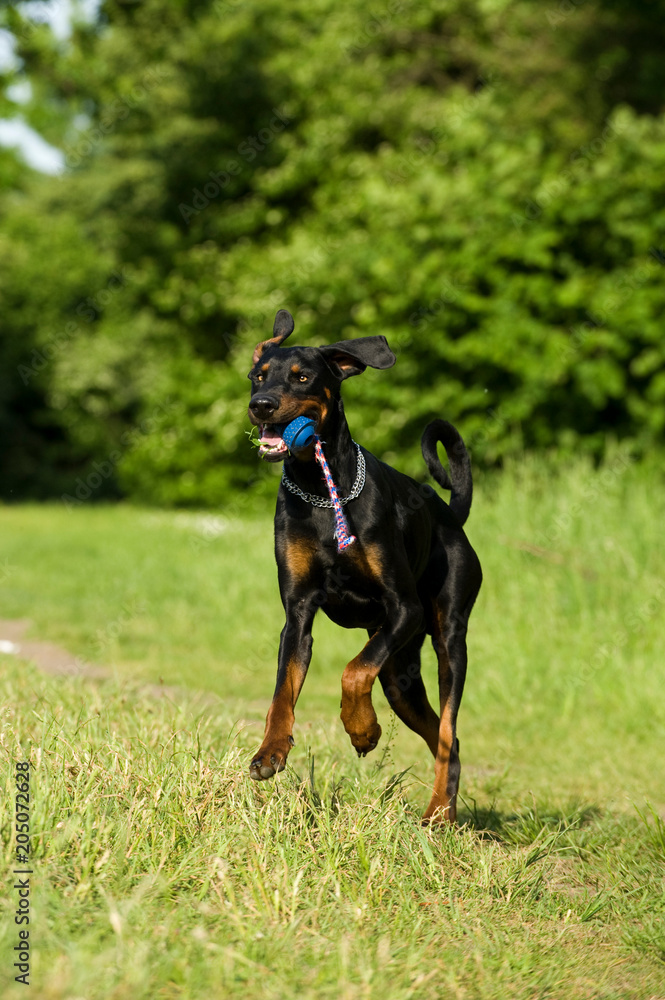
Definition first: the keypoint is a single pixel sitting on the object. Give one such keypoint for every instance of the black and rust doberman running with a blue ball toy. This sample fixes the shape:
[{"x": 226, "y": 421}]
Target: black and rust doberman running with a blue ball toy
[{"x": 410, "y": 573}]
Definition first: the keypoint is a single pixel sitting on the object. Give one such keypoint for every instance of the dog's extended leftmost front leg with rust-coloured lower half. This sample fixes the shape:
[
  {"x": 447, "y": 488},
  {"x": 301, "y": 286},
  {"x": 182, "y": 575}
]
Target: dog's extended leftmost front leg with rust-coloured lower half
[{"x": 295, "y": 652}]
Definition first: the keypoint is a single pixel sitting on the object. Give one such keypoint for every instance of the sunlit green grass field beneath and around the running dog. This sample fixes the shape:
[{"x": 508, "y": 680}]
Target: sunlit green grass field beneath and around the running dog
[{"x": 160, "y": 870}]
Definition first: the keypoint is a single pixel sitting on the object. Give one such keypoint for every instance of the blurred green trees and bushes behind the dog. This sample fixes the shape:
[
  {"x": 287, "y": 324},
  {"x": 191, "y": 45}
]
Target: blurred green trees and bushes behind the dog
[{"x": 481, "y": 181}]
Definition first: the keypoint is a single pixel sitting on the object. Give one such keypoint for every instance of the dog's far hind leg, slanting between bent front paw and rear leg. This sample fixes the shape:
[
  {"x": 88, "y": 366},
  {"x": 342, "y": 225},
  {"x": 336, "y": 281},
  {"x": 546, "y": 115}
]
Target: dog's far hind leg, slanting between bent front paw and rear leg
[{"x": 403, "y": 687}]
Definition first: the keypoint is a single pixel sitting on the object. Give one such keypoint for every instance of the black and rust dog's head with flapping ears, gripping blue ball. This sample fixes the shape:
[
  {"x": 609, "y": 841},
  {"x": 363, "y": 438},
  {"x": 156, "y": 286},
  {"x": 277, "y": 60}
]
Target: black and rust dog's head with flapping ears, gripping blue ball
[{"x": 290, "y": 382}]
